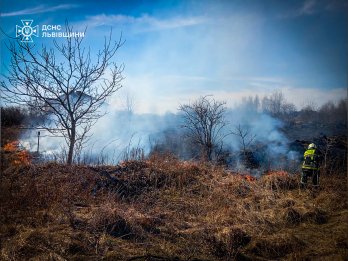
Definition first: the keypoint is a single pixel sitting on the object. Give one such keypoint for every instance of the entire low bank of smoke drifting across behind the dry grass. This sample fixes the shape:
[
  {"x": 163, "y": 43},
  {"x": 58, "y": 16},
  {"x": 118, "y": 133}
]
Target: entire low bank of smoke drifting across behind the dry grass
[{"x": 119, "y": 131}]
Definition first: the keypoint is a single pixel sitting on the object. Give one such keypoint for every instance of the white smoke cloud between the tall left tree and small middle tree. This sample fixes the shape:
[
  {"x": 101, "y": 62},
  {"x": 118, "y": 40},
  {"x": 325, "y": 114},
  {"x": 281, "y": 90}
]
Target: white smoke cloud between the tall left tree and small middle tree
[{"x": 119, "y": 131}]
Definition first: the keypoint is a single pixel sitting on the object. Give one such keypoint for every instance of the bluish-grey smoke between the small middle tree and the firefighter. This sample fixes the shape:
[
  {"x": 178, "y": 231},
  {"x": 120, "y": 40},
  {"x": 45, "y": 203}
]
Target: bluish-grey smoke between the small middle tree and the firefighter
[{"x": 267, "y": 146}]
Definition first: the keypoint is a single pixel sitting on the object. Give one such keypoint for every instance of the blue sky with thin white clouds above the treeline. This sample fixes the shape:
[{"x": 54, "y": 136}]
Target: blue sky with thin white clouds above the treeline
[{"x": 176, "y": 51}]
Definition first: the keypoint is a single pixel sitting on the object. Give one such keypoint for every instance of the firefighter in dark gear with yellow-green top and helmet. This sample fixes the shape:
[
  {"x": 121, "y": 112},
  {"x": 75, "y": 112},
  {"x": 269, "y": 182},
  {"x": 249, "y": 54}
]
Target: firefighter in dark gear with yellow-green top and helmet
[{"x": 310, "y": 166}]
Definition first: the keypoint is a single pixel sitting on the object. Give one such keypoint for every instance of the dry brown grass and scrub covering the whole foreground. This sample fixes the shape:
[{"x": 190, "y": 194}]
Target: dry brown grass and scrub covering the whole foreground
[{"x": 167, "y": 209}]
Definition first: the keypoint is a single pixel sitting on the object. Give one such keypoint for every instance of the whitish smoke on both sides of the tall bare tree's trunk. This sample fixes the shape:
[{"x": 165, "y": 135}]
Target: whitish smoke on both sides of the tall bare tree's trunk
[{"x": 110, "y": 137}]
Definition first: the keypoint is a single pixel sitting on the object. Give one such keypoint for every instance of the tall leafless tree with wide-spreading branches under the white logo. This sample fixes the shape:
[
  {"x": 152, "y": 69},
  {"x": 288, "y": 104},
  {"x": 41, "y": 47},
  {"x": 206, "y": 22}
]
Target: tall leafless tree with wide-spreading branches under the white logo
[{"x": 65, "y": 82}]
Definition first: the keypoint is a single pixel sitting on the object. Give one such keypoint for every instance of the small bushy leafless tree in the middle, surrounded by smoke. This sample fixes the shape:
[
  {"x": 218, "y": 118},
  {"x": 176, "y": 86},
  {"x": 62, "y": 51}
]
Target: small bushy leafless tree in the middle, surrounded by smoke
[{"x": 204, "y": 120}]
